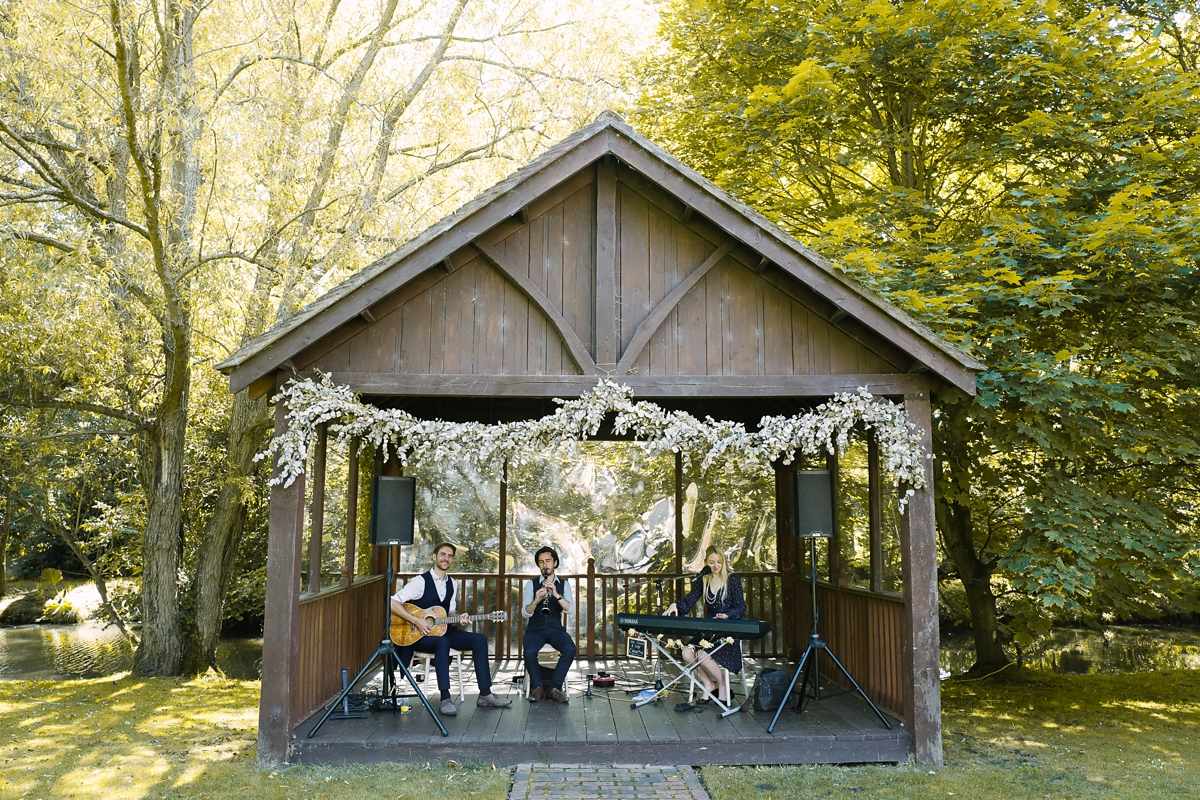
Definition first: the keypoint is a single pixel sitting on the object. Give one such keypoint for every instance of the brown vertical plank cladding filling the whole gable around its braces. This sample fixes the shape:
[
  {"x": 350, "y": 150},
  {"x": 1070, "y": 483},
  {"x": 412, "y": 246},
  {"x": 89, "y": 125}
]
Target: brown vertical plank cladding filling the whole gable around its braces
[{"x": 735, "y": 322}]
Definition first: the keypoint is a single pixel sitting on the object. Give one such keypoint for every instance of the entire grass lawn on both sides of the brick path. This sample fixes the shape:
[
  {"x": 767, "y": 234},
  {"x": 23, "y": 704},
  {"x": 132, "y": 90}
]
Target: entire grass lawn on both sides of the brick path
[{"x": 1039, "y": 736}]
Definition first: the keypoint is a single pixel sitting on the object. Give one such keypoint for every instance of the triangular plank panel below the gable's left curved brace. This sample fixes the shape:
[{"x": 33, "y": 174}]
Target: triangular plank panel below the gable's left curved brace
[{"x": 471, "y": 322}]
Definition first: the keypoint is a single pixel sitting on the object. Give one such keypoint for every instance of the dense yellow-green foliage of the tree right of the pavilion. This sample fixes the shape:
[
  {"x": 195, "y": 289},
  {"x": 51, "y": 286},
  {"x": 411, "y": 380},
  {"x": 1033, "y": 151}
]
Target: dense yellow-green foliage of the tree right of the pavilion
[{"x": 1024, "y": 178}]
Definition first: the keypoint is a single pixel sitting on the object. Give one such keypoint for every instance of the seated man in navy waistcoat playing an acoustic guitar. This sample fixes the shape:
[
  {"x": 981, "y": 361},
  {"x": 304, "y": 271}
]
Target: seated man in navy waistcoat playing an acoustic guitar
[{"x": 436, "y": 588}]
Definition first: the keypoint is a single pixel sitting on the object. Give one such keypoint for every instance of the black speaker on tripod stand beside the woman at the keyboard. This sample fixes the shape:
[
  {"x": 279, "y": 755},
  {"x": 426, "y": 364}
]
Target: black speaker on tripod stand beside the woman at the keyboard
[{"x": 813, "y": 519}]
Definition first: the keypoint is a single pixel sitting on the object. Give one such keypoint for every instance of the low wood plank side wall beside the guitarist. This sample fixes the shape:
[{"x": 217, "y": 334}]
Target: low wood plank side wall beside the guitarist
[{"x": 339, "y": 628}]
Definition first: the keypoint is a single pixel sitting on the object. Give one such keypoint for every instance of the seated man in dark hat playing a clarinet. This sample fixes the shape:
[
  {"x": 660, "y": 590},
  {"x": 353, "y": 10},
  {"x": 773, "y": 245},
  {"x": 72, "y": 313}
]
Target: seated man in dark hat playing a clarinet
[{"x": 544, "y": 603}]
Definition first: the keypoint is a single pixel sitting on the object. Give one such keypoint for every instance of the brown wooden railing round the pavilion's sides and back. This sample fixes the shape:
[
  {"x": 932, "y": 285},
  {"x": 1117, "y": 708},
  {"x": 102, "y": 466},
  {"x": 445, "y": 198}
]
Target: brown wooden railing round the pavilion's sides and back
[{"x": 341, "y": 628}]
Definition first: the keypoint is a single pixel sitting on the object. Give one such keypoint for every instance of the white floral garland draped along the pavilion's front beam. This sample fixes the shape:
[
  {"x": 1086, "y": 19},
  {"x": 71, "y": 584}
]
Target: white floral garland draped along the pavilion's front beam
[{"x": 825, "y": 429}]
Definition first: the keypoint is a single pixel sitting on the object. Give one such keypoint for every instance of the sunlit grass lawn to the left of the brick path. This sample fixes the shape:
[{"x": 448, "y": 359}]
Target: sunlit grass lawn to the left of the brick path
[{"x": 137, "y": 739}]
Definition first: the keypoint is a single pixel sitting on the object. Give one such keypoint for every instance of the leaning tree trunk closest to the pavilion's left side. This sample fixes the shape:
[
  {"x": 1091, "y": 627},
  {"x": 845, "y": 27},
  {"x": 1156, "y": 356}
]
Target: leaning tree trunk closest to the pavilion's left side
[{"x": 218, "y": 558}]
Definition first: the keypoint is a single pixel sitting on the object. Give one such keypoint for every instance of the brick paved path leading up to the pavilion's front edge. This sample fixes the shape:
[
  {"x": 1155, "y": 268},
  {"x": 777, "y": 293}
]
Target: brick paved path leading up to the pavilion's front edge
[{"x": 597, "y": 783}]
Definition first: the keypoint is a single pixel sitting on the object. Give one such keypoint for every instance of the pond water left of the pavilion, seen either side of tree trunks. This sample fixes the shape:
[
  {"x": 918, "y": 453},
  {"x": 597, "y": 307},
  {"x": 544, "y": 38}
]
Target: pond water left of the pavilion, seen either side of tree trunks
[{"x": 92, "y": 651}]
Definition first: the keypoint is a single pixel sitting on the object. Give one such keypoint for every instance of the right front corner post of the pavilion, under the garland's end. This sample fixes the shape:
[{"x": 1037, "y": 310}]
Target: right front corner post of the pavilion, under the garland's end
[{"x": 919, "y": 548}]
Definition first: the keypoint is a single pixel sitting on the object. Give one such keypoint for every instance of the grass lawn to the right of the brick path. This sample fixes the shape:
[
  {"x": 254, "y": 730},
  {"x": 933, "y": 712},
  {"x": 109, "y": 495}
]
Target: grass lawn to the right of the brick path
[{"x": 1042, "y": 736}]
